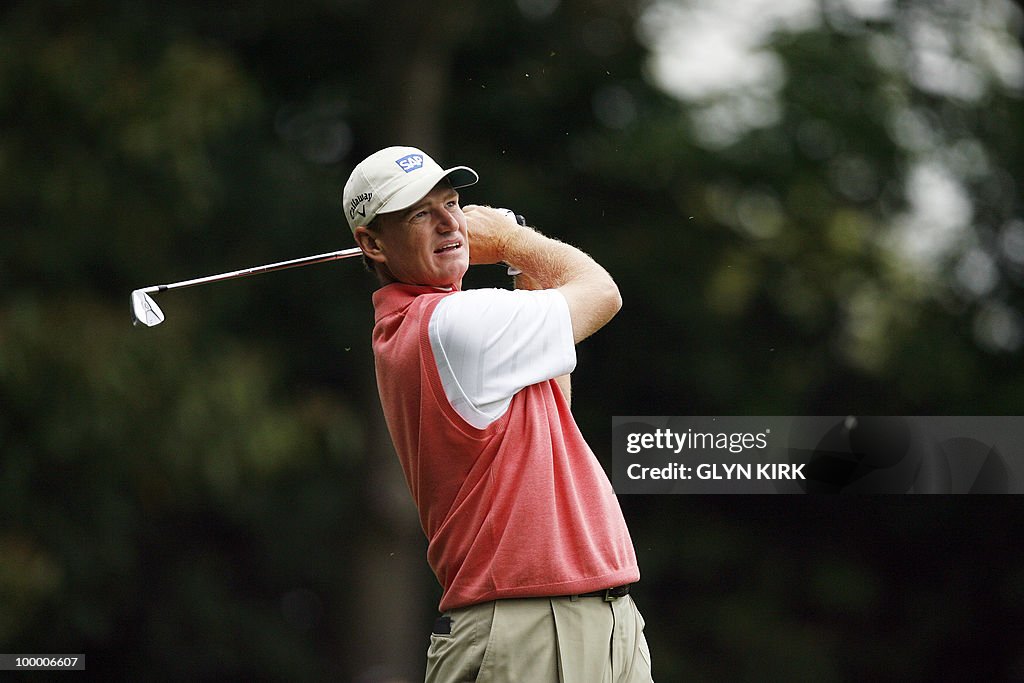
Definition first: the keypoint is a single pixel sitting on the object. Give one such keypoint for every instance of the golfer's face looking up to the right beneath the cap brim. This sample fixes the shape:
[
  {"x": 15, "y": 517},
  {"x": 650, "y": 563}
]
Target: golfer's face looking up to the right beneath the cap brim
[{"x": 426, "y": 244}]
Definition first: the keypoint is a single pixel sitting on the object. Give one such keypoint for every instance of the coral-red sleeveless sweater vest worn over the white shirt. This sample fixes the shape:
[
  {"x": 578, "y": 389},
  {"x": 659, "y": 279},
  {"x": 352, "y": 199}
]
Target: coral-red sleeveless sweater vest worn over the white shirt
[{"x": 521, "y": 508}]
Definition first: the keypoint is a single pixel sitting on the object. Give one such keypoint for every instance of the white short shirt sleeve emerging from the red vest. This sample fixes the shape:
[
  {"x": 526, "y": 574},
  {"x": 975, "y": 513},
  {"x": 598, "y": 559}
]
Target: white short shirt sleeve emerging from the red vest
[{"x": 491, "y": 344}]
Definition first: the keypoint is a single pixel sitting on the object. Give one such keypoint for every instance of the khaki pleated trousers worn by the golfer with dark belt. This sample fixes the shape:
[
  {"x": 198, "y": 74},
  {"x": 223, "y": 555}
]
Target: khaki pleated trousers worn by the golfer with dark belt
[{"x": 541, "y": 641}]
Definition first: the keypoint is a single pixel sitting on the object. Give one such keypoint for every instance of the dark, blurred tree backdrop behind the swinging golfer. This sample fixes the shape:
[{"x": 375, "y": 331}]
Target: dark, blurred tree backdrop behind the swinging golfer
[{"x": 828, "y": 222}]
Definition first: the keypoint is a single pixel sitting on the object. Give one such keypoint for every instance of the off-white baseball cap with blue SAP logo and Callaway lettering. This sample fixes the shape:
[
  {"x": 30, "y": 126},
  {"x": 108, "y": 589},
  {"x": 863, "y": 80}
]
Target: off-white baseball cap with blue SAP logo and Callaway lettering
[{"x": 396, "y": 179}]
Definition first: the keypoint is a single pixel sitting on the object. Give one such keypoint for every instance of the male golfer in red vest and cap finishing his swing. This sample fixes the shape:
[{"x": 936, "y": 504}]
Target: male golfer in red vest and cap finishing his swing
[{"x": 525, "y": 533}]
